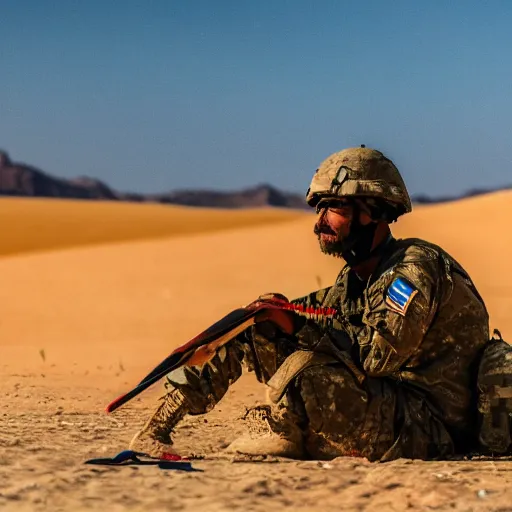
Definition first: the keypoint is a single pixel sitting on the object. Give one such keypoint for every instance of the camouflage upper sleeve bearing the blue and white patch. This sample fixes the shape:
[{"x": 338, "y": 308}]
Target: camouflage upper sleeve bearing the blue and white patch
[{"x": 401, "y": 307}]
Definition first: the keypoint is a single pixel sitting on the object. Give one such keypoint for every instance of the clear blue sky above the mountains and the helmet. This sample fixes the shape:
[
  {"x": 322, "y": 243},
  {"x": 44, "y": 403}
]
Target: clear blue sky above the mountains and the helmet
[{"x": 158, "y": 95}]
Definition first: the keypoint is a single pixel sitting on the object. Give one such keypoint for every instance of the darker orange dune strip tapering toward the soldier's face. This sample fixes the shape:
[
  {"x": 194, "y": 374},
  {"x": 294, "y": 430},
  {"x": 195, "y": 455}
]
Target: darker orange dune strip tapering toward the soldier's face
[{"x": 34, "y": 225}]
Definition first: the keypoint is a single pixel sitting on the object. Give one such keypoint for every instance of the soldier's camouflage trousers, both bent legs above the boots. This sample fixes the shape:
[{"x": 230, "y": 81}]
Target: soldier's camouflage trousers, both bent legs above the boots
[{"x": 339, "y": 410}]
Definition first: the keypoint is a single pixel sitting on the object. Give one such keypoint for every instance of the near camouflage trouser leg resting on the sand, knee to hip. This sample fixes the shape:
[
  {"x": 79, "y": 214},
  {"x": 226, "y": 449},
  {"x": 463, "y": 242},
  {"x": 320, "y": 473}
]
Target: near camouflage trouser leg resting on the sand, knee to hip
[{"x": 341, "y": 415}]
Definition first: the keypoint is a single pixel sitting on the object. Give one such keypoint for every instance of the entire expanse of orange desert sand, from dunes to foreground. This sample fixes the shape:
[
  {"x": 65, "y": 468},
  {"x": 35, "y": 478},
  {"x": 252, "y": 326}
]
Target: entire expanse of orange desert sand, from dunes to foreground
[{"x": 93, "y": 295}]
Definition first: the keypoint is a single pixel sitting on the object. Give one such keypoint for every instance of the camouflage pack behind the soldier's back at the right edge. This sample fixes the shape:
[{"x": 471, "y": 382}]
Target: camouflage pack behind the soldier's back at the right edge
[{"x": 495, "y": 397}]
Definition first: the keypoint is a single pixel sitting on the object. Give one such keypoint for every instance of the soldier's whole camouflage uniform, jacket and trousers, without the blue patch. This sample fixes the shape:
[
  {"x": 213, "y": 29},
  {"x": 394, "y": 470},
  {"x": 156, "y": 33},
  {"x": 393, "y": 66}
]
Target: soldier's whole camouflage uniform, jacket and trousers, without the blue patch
[{"x": 381, "y": 383}]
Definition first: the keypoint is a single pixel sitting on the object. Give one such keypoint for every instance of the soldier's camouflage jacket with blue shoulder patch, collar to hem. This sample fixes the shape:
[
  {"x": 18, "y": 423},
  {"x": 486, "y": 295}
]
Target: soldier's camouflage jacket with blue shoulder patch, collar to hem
[{"x": 418, "y": 320}]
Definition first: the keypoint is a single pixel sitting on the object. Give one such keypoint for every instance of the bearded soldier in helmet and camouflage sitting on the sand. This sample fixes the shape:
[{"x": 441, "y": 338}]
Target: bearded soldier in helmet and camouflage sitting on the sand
[{"x": 394, "y": 375}]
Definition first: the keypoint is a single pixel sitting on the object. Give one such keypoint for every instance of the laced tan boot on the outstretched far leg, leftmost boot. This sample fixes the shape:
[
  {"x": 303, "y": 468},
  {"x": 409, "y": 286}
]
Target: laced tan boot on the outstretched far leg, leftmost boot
[{"x": 154, "y": 438}]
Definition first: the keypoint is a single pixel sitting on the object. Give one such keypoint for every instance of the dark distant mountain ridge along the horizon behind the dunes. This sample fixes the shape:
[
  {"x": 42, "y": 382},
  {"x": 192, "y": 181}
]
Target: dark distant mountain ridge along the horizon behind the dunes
[{"x": 17, "y": 179}]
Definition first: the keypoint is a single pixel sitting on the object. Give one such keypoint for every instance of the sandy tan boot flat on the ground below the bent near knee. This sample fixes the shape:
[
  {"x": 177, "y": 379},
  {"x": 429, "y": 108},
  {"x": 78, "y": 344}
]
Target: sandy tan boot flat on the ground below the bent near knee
[{"x": 269, "y": 435}]
